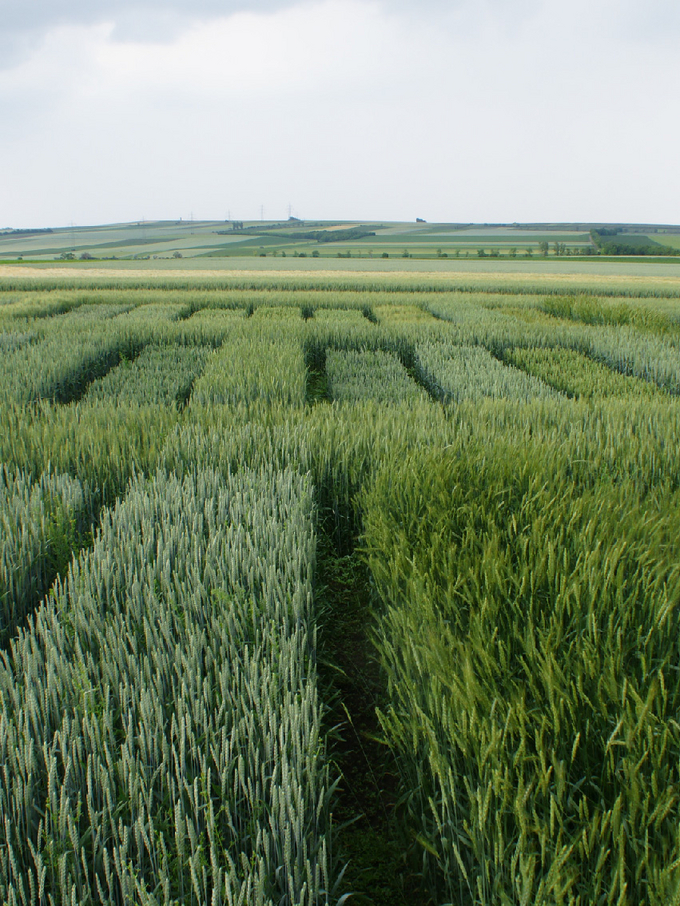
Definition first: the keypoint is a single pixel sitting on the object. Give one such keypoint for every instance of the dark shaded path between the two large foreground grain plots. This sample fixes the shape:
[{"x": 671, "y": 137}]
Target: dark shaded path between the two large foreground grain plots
[{"x": 372, "y": 839}]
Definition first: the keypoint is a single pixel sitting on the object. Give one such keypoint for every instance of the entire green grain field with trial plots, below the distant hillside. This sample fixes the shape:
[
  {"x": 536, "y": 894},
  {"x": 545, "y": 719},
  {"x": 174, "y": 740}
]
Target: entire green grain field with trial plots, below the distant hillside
[{"x": 319, "y": 579}]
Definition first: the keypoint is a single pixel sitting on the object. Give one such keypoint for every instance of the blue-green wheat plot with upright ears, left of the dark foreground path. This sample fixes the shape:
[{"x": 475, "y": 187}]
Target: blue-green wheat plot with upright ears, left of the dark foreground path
[{"x": 161, "y": 737}]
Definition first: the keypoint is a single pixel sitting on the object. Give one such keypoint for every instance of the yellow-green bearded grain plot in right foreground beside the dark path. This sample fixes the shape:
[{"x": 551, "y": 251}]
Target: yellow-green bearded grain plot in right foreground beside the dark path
[{"x": 528, "y": 631}]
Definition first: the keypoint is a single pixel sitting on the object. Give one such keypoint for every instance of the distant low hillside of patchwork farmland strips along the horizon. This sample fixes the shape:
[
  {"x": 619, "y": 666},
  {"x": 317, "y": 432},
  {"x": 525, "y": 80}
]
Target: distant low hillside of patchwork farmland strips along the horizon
[{"x": 201, "y": 239}]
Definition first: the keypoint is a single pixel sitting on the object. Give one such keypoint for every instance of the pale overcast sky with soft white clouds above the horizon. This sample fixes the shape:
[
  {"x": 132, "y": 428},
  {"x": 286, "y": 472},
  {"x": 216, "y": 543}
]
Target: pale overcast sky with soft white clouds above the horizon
[{"x": 450, "y": 110}]
